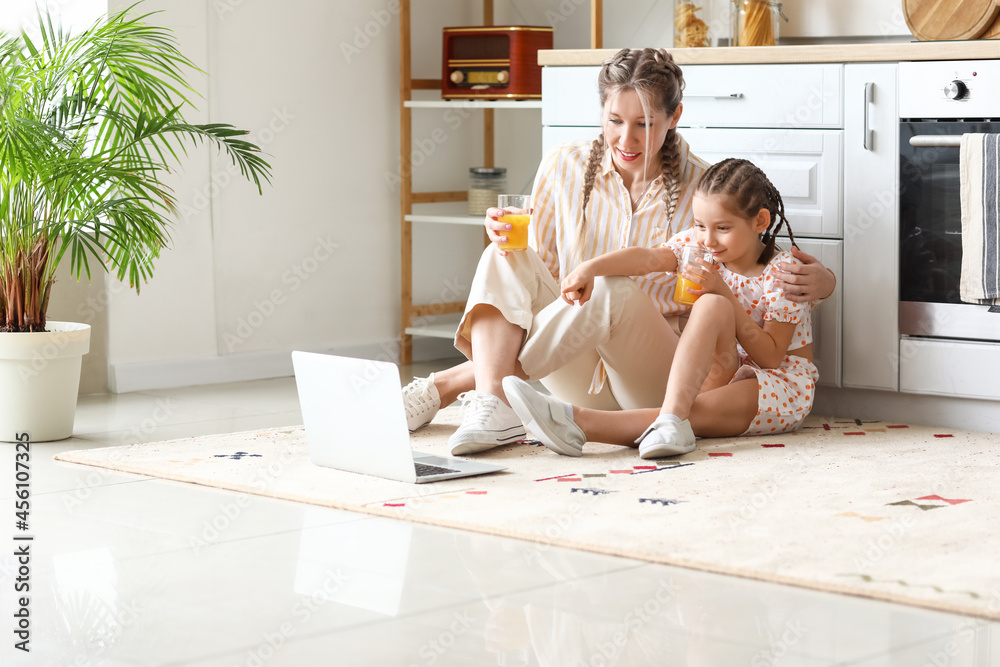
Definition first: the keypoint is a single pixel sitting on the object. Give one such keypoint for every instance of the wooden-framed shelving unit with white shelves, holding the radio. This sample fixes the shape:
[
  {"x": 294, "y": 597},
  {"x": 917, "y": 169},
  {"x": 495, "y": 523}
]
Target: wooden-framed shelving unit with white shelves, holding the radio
[{"x": 444, "y": 207}]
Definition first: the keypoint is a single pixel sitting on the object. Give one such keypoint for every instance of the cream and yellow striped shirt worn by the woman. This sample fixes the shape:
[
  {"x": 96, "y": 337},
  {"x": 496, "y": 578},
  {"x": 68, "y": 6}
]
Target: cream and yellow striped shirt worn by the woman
[{"x": 611, "y": 222}]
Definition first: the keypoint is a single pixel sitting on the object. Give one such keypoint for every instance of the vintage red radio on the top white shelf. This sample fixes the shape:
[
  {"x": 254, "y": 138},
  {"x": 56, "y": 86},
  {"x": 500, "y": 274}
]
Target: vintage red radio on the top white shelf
[{"x": 493, "y": 62}]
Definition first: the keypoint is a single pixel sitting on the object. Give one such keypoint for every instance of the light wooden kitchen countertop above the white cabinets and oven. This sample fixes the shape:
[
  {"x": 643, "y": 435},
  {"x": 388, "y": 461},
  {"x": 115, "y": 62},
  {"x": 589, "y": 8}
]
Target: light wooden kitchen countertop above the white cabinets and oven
[{"x": 984, "y": 49}]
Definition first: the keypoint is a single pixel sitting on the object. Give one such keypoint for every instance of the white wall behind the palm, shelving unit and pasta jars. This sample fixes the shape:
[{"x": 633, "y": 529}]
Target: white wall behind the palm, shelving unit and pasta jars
[{"x": 314, "y": 262}]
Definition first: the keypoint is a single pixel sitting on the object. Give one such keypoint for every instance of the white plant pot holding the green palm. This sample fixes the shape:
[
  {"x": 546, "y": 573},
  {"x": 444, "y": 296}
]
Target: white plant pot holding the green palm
[{"x": 40, "y": 380}]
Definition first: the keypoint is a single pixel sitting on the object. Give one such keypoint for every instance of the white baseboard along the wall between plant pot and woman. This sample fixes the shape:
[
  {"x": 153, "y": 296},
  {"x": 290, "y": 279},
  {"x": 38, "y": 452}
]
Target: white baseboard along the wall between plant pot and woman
[{"x": 145, "y": 376}]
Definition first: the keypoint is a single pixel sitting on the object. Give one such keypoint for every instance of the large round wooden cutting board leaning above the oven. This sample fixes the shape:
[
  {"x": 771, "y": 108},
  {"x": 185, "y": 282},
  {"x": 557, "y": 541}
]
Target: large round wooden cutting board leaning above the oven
[{"x": 949, "y": 19}]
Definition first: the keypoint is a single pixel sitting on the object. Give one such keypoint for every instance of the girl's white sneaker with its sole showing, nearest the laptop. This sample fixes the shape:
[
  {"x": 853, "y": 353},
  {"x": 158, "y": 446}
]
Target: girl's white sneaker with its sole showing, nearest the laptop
[{"x": 547, "y": 419}]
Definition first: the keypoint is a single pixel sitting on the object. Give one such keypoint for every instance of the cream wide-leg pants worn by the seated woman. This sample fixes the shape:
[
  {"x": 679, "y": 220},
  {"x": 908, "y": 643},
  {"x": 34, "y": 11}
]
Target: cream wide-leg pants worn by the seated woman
[{"x": 613, "y": 352}]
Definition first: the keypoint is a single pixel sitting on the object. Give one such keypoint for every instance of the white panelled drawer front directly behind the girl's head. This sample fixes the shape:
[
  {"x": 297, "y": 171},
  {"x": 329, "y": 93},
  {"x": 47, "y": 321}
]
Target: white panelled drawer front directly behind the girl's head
[{"x": 803, "y": 164}]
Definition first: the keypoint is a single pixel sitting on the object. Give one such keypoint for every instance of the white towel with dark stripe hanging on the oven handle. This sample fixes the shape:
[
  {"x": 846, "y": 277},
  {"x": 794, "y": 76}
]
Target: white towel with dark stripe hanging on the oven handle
[{"x": 980, "y": 176}]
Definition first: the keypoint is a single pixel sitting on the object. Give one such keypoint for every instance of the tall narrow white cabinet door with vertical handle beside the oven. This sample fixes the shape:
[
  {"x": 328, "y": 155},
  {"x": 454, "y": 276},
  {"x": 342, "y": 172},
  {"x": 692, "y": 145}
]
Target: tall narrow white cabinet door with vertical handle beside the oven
[{"x": 871, "y": 227}]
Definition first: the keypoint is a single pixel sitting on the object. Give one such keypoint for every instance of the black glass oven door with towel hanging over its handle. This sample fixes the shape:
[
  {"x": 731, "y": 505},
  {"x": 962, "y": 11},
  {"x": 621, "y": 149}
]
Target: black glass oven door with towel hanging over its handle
[{"x": 930, "y": 243}]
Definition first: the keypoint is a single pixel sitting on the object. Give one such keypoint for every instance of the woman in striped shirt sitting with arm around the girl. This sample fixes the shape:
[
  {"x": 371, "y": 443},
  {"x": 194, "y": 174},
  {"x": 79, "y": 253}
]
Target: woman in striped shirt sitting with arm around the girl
[{"x": 631, "y": 187}]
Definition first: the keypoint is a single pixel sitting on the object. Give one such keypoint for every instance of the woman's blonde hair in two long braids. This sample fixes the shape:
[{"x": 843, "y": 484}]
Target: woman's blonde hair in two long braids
[{"x": 654, "y": 75}]
